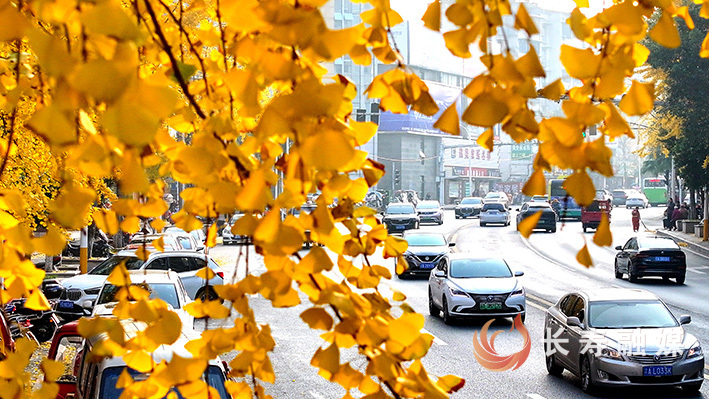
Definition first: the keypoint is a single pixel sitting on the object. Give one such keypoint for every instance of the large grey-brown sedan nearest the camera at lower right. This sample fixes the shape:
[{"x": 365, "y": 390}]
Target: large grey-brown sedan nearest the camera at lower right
[{"x": 618, "y": 337}]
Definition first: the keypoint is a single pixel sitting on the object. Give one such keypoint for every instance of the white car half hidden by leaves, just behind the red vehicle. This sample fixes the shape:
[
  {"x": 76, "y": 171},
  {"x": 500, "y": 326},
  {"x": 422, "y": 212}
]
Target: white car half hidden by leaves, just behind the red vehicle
[{"x": 161, "y": 284}]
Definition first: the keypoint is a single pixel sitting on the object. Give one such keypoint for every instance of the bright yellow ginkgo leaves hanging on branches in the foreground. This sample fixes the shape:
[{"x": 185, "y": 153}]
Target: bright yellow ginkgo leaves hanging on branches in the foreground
[{"x": 112, "y": 81}]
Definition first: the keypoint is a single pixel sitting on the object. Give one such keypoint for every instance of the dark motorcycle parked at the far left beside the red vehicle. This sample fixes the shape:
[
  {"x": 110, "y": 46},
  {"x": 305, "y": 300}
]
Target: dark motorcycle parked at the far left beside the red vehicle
[{"x": 41, "y": 323}]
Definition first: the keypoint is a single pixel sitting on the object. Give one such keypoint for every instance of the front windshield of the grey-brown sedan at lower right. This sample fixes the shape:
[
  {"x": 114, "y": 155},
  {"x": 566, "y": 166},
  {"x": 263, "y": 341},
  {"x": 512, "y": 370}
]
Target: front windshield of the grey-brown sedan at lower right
[{"x": 630, "y": 314}]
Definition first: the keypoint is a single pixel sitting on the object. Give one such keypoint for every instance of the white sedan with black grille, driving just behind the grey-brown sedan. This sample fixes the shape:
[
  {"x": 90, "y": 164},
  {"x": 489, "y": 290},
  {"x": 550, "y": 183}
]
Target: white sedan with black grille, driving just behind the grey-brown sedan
[{"x": 463, "y": 285}]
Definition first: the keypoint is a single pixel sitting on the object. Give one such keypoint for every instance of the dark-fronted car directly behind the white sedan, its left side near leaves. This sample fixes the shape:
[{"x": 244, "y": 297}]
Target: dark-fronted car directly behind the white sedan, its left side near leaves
[{"x": 425, "y": 252}]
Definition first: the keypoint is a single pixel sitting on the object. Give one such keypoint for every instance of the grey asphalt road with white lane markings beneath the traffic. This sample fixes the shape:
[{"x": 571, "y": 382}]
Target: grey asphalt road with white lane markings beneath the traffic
[{"x": 551, "y": 270}]
